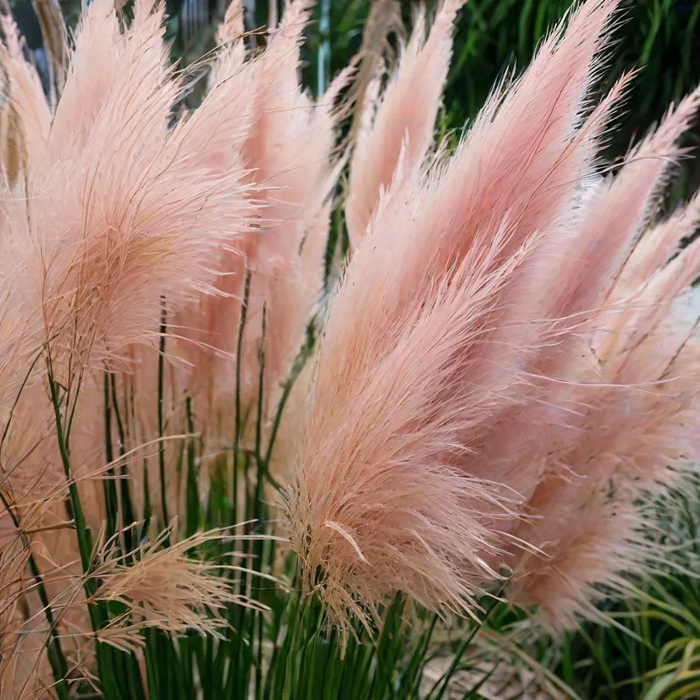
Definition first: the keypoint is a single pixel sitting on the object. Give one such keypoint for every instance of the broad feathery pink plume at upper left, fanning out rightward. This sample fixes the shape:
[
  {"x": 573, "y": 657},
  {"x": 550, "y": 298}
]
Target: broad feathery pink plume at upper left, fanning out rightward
[{"x": 105, "y": 230}]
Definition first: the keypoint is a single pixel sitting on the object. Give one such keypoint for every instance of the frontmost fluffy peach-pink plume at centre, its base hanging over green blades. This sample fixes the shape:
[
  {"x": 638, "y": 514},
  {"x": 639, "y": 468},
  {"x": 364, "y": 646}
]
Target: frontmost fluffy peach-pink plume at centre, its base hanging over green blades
[{"x": 379, "y": 506}]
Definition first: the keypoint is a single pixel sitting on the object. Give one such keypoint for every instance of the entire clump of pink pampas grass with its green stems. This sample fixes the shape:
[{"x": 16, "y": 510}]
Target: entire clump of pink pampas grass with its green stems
[{"x": 484, "y": 406}]
